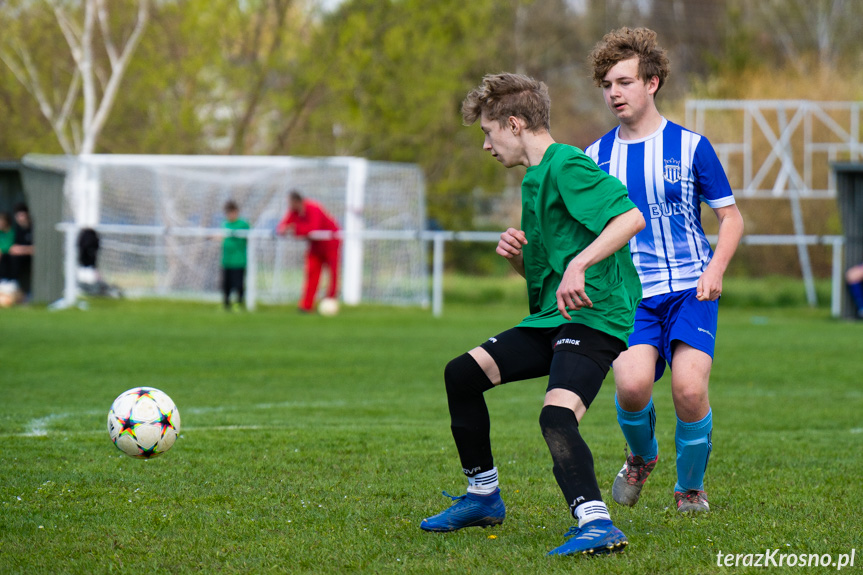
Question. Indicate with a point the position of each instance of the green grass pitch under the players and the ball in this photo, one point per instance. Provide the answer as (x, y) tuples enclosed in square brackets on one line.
[(316, 445)]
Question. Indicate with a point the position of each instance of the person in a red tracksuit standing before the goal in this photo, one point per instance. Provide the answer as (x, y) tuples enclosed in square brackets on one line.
[(306, 216)]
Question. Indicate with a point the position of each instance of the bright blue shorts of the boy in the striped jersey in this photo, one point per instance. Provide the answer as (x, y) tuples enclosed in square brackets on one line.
[(664, 319)]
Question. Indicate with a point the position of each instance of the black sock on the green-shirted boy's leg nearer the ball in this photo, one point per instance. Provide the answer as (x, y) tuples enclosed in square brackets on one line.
[(465, 384)]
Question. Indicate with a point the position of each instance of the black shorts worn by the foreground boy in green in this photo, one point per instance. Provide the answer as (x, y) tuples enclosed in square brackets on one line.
[(574, 356)]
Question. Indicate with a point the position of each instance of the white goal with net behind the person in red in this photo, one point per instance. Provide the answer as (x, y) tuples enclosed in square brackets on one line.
[(160, 223)]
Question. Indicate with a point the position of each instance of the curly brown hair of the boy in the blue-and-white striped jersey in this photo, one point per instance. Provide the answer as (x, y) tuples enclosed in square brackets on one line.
[(625, 43)]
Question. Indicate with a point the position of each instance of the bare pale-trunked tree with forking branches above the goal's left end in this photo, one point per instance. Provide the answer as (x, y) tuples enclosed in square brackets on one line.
[(91, 80)]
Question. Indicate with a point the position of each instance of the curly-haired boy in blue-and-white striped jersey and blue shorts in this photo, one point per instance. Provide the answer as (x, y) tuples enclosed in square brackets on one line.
[(668, 171)]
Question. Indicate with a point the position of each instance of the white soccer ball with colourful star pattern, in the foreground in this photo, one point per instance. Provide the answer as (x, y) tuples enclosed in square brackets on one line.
[(143, 422)]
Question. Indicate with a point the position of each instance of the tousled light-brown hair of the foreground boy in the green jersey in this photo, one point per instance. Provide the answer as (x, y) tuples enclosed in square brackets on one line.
[(500, 96)]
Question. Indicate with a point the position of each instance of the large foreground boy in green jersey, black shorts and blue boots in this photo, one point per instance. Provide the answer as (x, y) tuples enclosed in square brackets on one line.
[(582, 293)]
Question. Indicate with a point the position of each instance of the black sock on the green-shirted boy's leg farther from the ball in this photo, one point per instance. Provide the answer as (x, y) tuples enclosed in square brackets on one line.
[(573, 462)]
